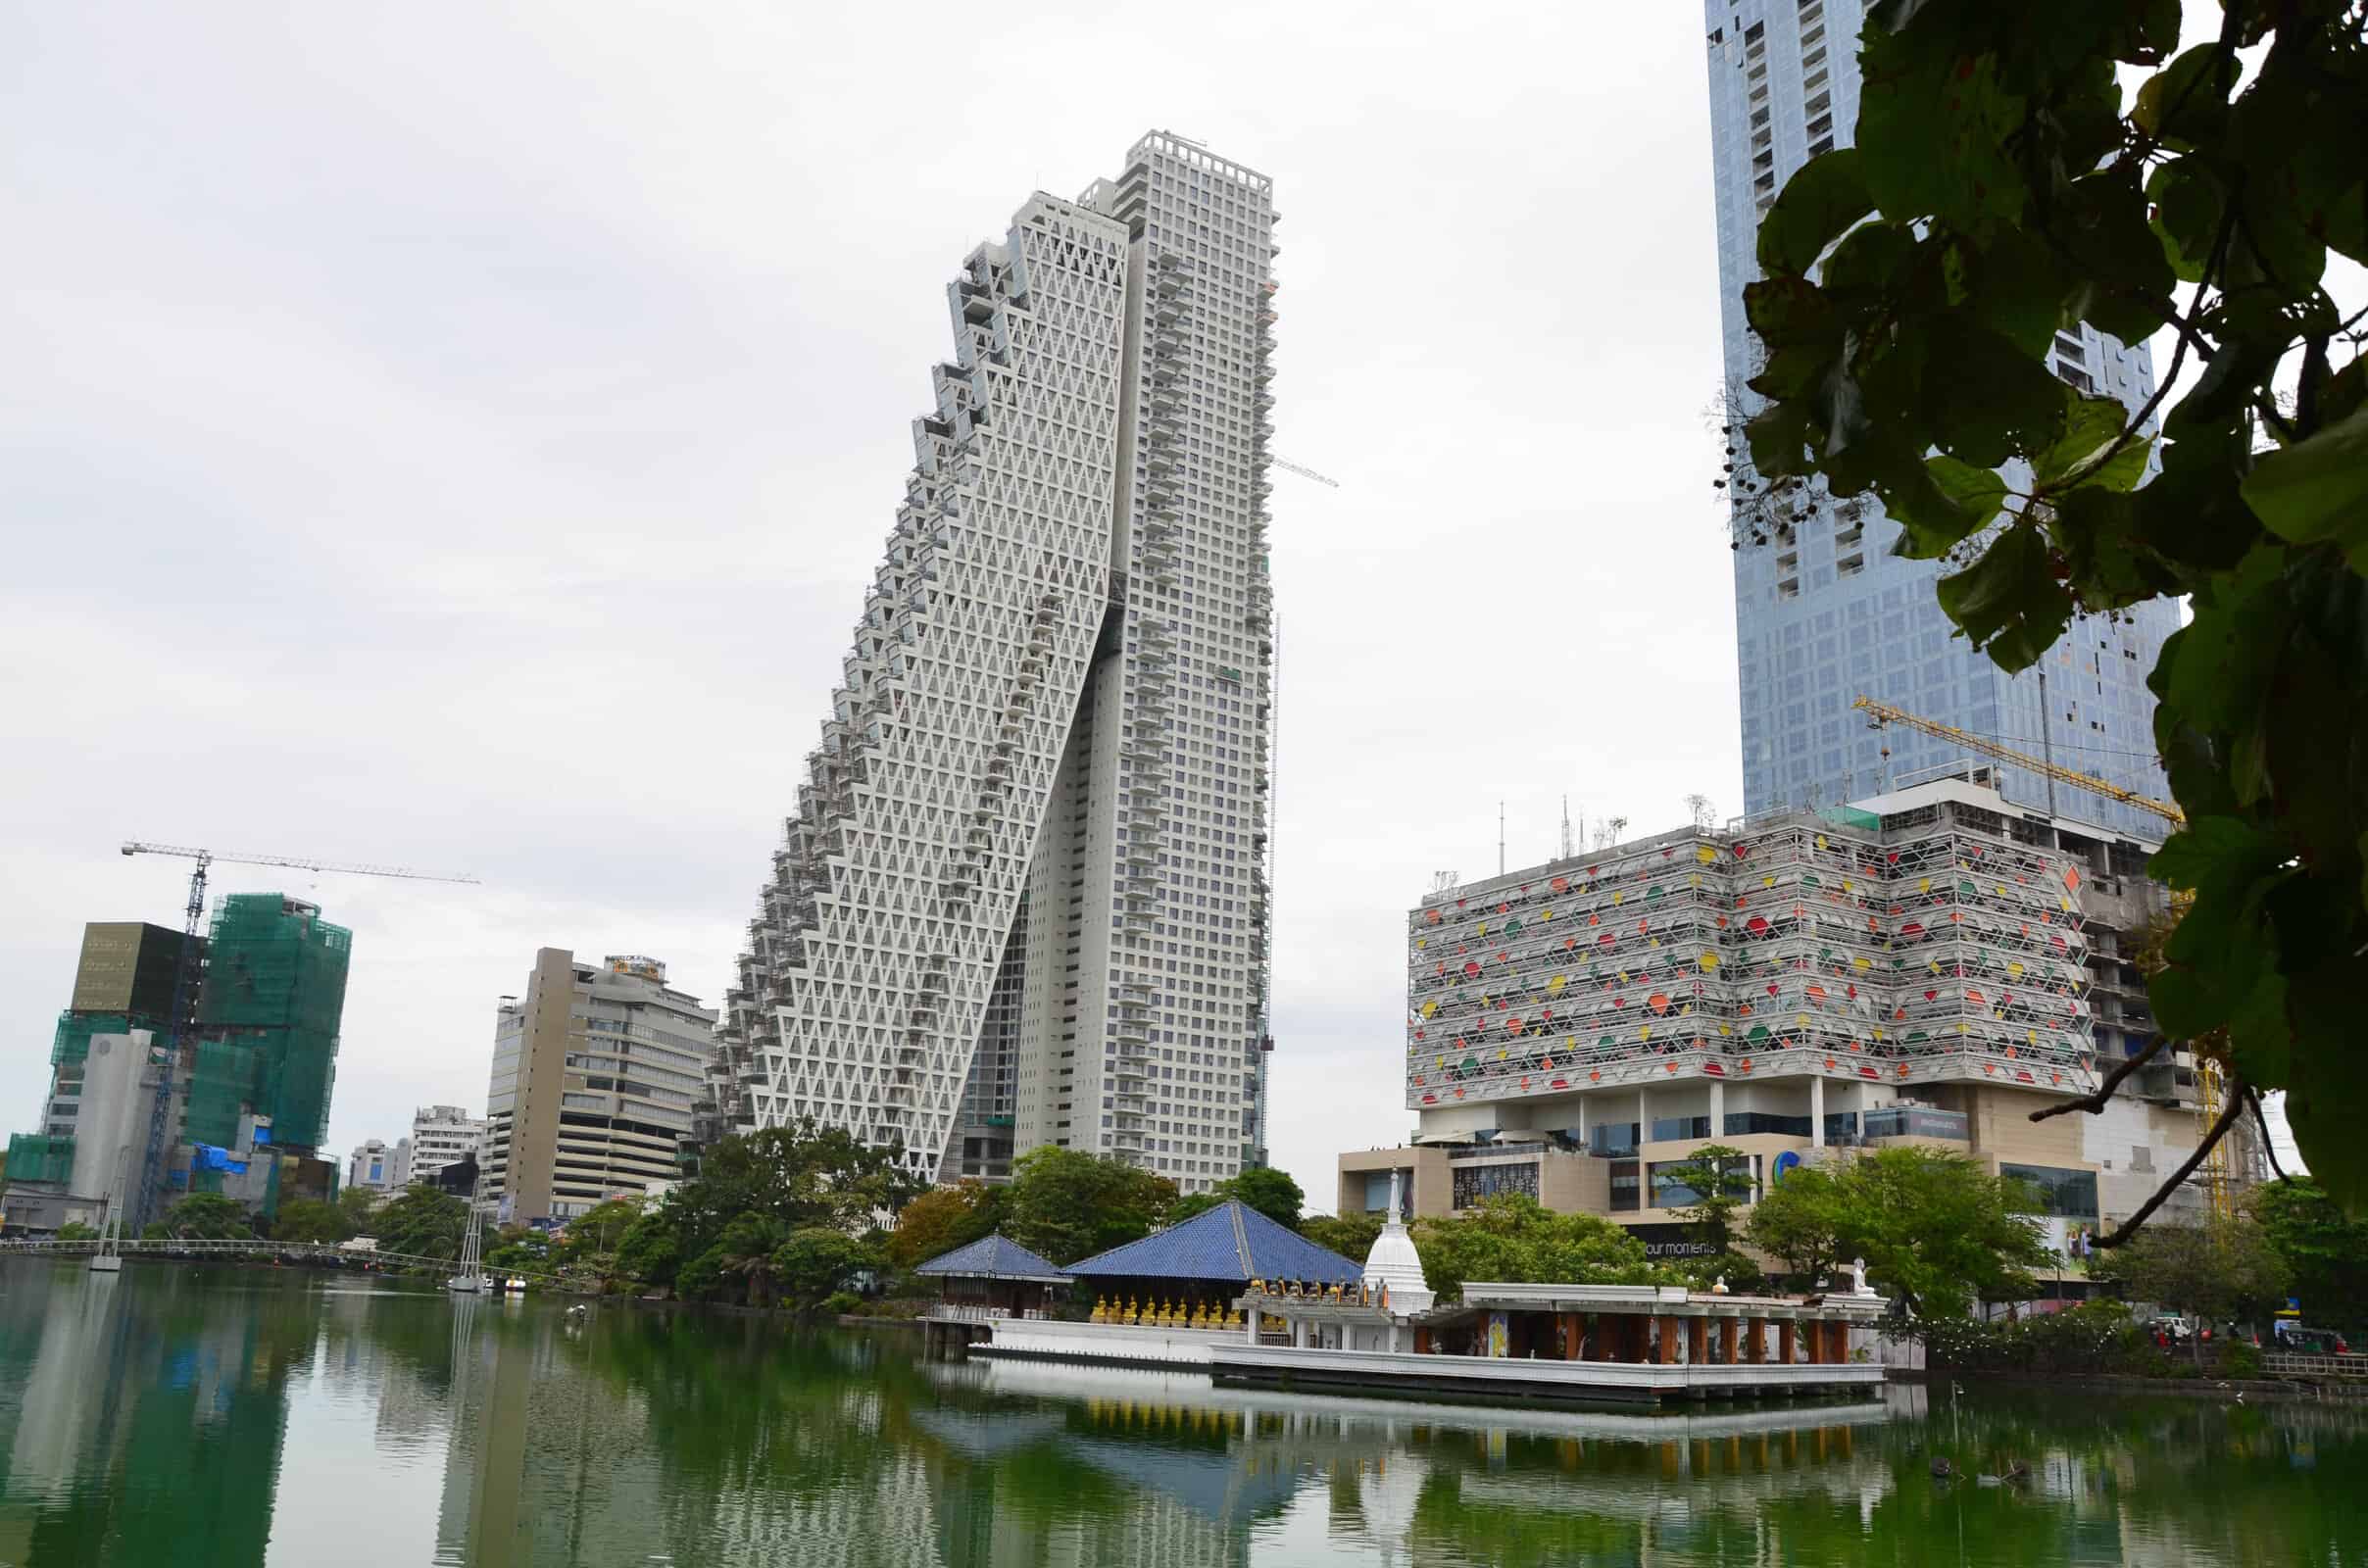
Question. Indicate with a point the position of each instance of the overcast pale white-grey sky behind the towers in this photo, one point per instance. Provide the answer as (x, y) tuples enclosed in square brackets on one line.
[(461, 439)]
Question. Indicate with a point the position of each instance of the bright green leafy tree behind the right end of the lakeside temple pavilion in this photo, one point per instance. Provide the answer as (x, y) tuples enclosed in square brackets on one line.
[(1936, 1228)]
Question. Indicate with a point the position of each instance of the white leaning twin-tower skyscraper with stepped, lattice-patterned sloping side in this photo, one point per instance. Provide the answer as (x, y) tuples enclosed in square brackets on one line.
[(1024, 899)]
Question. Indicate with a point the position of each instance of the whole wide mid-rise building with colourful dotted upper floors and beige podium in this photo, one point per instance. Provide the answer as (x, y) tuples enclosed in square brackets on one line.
[(1924, 968)]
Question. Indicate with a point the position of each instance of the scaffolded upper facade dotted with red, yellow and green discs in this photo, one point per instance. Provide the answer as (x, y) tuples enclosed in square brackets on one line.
[(1791, 944)]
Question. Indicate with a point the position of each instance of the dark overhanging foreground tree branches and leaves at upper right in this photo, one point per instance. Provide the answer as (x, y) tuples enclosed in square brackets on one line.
[(2000, 191)]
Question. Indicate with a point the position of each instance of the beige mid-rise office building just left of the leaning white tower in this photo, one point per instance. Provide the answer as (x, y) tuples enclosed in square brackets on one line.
[(596, 1074)]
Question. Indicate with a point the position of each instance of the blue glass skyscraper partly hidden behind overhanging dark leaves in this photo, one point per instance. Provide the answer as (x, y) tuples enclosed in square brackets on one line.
[(1832, 615)]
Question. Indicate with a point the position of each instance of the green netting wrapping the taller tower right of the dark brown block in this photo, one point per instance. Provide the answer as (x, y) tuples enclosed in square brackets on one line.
[(276, 982)]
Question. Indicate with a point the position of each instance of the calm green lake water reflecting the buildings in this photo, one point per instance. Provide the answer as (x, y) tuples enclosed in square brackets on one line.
[(229, 1418)]
